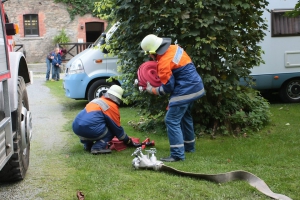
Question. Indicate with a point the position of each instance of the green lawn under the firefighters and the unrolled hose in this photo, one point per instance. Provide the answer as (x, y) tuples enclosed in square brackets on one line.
[(272, 154)]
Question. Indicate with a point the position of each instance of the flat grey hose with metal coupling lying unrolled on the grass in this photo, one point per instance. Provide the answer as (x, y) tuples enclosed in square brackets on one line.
[(149, 161)]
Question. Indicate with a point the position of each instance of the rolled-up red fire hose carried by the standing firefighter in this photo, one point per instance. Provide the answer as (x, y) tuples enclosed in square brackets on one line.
[(147, 72)]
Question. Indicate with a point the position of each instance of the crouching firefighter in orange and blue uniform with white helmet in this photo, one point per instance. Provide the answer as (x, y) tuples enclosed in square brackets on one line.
[(99, 122)]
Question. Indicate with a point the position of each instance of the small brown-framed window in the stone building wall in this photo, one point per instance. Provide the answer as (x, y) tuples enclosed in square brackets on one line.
[(31, 25)]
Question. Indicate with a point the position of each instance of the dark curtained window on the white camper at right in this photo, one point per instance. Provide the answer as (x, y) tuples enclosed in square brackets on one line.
[(284, 26)]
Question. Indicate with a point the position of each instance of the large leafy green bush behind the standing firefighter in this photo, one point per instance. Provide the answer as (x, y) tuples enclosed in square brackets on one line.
[(222, 38)]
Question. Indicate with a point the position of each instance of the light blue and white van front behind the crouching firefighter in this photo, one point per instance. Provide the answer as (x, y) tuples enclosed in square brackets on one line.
[(86, 73)]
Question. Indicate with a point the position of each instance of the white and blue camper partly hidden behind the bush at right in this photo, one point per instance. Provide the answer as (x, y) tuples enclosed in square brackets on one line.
[(281, 46)]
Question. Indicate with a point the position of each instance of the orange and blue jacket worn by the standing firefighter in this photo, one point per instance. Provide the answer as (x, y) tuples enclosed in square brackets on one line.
[(179, 77)]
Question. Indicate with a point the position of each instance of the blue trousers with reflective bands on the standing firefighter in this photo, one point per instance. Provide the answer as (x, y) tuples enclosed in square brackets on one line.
[(180, 130)]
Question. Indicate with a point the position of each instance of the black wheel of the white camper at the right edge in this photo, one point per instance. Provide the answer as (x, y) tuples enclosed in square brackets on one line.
[(290, 91)]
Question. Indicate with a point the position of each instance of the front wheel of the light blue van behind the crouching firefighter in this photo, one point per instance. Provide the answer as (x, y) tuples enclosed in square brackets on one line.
[(98, 88)]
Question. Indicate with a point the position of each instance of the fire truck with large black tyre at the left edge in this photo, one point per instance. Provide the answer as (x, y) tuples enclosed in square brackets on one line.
[(15, 117)]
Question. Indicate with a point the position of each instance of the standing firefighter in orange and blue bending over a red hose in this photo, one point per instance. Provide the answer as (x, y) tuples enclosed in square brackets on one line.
[(179, 78)]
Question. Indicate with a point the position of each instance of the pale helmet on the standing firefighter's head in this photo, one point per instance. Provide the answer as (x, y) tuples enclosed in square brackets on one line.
[(152, 44)]
